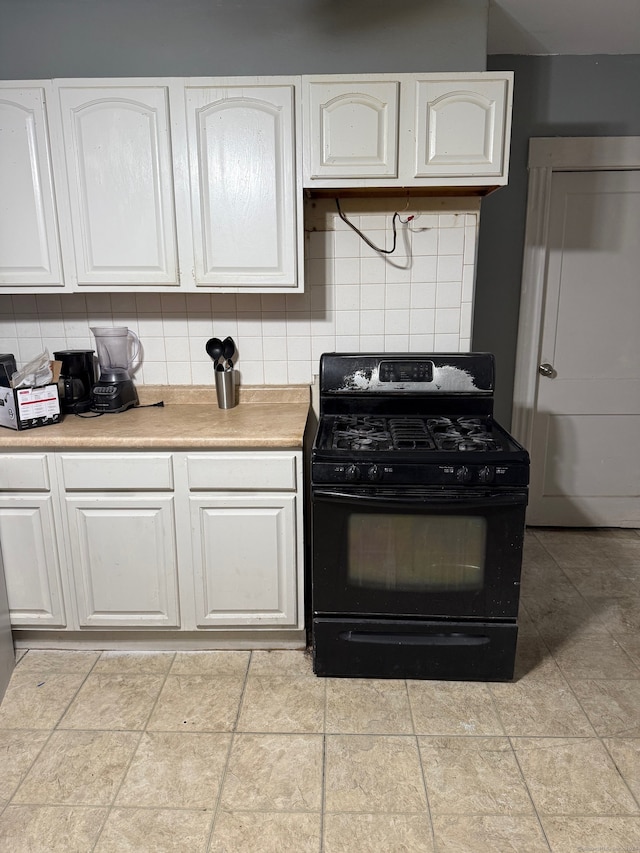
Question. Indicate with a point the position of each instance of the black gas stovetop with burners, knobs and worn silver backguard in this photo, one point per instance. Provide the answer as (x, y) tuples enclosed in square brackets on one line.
[(412, 419)]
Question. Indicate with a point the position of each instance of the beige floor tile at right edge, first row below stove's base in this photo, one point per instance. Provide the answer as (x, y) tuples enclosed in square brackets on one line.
[(612, 706)]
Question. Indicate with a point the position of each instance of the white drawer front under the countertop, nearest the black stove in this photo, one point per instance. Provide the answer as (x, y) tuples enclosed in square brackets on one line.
[(242, 471)]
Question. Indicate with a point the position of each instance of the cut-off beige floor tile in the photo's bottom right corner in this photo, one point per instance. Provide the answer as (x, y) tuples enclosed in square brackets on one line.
[(598, 834)]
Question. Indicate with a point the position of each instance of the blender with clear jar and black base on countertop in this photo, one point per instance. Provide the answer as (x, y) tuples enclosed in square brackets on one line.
[(114, 391)]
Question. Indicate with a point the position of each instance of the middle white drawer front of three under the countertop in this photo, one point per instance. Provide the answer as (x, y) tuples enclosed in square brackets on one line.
[(117, 471)]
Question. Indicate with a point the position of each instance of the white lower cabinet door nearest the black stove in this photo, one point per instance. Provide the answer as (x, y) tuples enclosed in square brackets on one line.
[(244, 561)]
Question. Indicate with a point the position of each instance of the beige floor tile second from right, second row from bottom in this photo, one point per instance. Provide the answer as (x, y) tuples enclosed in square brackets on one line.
[(572, 776)]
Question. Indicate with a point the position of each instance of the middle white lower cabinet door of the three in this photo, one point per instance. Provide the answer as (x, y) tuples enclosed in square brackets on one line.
[(123, 553)]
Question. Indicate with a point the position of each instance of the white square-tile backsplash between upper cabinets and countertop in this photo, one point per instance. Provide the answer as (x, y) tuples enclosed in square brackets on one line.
[(418, 299)]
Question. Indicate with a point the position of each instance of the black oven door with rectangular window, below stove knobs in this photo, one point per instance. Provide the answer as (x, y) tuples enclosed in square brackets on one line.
[(417, 553)]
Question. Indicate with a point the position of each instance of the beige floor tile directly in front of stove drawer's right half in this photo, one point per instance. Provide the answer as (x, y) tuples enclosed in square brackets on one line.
[(452, 708)]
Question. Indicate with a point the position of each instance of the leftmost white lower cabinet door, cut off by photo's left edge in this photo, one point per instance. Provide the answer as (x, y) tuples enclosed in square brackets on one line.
[(30, 555)]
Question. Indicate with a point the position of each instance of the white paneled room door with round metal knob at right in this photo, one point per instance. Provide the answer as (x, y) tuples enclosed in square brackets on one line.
[(584, 446)]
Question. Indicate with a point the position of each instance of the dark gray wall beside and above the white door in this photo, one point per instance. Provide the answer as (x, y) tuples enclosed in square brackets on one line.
[(553, 96)]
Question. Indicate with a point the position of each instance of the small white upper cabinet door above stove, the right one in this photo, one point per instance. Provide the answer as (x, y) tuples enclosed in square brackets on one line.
[(461, 130)]
